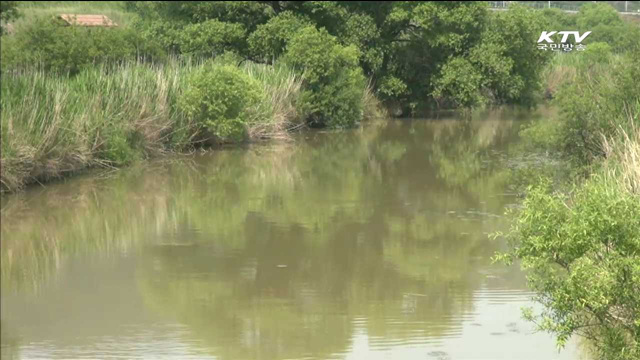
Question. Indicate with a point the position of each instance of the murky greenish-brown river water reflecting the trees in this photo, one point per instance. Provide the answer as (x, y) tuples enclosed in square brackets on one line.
[(363, 244)]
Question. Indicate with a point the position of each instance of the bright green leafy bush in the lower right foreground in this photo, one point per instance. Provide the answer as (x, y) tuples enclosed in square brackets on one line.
[(581, 254)]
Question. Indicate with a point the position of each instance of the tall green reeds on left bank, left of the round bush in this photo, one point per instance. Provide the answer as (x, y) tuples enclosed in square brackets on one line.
[(53, 125)]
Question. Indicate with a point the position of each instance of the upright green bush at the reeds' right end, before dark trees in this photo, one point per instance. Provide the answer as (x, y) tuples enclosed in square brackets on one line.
[(335, 83)]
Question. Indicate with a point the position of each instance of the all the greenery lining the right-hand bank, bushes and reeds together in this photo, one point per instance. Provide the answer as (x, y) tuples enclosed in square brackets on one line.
[(581, 246)]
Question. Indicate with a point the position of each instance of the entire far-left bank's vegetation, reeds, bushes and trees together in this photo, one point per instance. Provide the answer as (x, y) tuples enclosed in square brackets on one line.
[(416, 56)]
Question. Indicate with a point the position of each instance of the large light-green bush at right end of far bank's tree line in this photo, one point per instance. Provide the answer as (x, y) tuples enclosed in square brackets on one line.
[(501, 67)]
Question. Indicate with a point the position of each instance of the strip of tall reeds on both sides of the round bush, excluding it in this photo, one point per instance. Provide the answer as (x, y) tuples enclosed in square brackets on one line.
[(110, 116)]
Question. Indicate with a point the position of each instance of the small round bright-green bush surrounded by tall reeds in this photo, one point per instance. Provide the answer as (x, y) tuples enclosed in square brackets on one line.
[(222, 99)]
